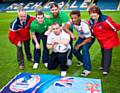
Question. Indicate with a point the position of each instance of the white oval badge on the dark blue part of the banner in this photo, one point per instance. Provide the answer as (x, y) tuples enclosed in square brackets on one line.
[(24, 83)]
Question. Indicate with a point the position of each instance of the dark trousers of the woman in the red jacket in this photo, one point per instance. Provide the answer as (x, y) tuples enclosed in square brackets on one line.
[(106, 59)]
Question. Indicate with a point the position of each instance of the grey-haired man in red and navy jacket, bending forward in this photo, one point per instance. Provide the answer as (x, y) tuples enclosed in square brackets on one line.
[(19, 34)]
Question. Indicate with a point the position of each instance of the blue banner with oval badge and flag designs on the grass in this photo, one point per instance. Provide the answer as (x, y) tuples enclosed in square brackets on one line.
[(44, 83)]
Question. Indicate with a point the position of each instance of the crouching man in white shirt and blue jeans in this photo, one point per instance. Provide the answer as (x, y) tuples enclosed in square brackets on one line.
[(84, 42)]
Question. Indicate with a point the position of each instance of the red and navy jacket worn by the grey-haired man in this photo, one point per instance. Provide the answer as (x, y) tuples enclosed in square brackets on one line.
[(18, 32)]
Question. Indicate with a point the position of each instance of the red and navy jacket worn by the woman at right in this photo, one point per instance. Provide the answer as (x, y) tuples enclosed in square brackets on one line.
[(105, 30)]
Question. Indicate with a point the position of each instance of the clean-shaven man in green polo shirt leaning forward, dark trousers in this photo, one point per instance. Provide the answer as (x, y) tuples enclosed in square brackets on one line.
[(38, 28)]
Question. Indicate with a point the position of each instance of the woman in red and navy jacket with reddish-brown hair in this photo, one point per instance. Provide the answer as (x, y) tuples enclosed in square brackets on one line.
[(105, 30)]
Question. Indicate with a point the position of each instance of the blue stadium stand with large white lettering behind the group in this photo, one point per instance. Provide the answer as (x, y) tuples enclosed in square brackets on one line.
[(64, 4)]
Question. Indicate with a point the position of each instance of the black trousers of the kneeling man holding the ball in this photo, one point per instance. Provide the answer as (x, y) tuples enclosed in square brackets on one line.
[(56, 59)]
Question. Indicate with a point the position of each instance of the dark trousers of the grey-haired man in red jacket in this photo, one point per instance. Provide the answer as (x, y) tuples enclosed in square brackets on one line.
[(20, 55)]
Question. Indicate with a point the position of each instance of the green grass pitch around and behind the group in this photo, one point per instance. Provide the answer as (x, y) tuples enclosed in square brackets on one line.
[(9, 65)]
